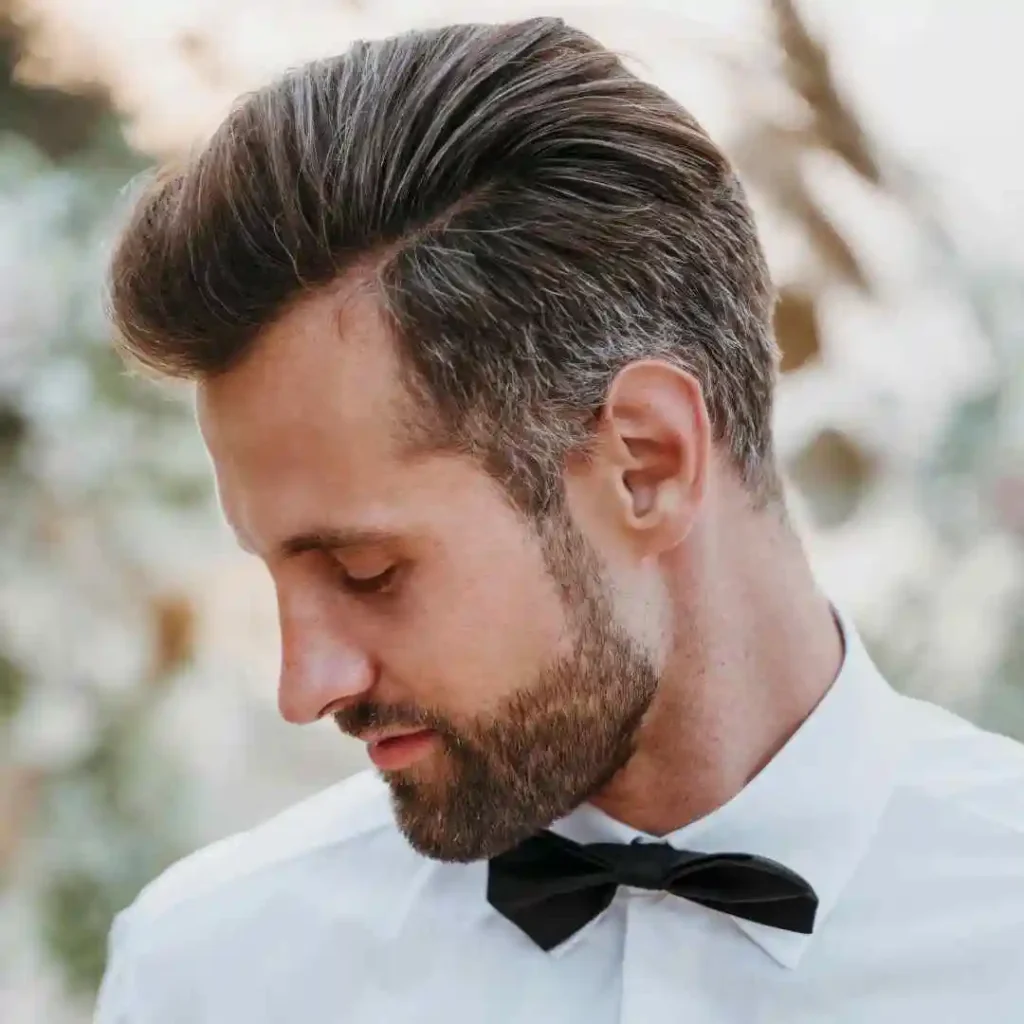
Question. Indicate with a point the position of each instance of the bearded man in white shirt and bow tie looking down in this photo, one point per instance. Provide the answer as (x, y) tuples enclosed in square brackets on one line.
[(481, 331)]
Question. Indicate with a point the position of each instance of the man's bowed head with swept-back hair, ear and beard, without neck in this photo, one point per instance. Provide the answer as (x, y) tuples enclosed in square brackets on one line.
[(478, 319)]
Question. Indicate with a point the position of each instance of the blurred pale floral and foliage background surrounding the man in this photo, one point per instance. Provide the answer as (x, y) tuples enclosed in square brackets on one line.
[(883, 145)]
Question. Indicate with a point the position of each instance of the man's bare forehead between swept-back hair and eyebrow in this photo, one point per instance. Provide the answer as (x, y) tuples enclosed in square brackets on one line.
[(306, 424)]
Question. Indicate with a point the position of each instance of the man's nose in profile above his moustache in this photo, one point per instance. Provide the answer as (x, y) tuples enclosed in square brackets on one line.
[(320, 668)]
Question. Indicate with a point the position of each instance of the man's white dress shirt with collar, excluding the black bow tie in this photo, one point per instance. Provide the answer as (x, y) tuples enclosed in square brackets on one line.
[(907, 821)]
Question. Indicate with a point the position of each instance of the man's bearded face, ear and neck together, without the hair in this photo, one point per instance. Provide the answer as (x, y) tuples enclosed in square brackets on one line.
[(650, 651)]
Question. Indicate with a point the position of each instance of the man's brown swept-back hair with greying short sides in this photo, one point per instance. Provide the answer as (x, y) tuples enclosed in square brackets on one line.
[(534, 217)]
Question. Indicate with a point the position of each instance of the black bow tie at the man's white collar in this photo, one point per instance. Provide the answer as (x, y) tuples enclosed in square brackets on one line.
[(551, 887)]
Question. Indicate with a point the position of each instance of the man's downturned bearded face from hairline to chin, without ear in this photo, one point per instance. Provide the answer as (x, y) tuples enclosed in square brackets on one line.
[(413, 598)]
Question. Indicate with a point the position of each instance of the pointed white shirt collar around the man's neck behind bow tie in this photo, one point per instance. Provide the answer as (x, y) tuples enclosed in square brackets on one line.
[(815, 808)]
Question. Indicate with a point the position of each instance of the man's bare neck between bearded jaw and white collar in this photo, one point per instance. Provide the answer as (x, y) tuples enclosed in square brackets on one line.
[(752, 659)]
